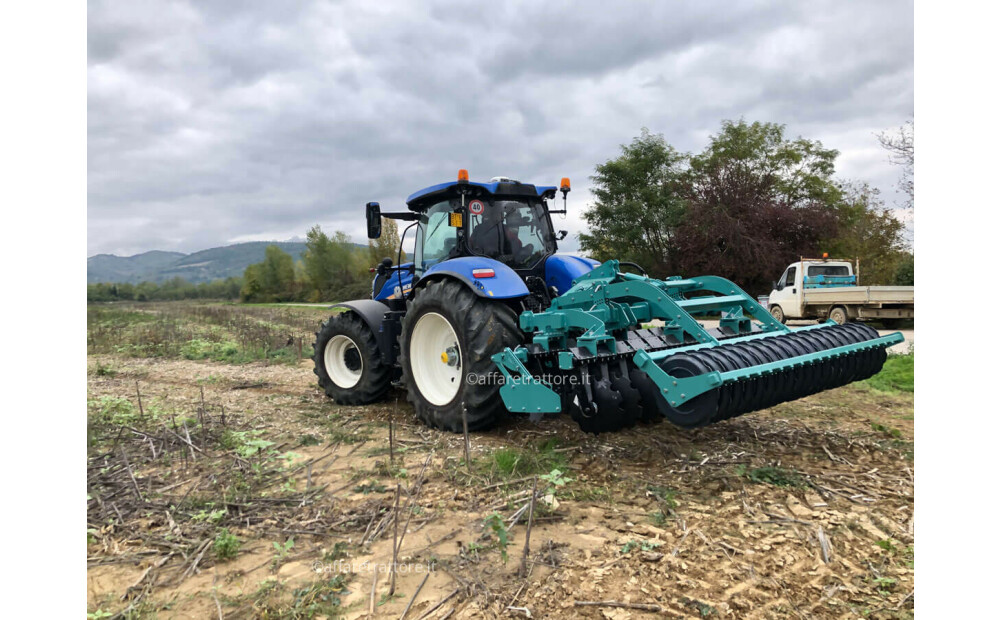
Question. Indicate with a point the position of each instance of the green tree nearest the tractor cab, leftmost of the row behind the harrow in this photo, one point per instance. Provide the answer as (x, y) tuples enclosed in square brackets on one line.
[(639, 204)]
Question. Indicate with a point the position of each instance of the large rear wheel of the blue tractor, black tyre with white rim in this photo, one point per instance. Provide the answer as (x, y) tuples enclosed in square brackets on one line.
[(449, 334)]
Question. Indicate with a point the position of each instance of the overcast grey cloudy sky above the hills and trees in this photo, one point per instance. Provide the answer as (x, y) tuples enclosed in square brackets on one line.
[(216, 122)]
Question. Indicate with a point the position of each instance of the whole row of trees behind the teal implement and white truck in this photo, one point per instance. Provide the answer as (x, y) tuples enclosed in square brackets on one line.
[(743, 208)]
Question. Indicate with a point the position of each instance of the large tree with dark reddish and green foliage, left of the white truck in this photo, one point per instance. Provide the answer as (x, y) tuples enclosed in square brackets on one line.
[(756, 201)]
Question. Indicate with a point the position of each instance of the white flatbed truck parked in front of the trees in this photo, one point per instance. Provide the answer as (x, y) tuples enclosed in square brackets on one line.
[(819, 288)]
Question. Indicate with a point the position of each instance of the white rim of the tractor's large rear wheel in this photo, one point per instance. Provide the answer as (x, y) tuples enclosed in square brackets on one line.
[(435, 359)]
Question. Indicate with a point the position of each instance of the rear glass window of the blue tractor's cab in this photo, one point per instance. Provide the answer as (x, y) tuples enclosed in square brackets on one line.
[(514, 232)]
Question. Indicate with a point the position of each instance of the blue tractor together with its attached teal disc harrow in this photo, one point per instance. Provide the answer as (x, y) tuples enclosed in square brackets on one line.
[(488, 318)]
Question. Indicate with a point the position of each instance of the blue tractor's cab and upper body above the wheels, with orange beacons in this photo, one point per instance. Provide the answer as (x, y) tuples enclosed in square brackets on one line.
[(496, 237)]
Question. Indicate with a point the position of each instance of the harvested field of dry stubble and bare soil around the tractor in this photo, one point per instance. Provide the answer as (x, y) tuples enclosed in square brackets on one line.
[(221, 482)]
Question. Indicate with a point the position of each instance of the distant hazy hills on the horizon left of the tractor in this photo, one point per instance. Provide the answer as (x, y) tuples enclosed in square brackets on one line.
[(203, 266)]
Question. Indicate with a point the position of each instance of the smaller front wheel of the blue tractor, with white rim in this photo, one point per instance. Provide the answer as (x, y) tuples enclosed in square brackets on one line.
[(348, 363)]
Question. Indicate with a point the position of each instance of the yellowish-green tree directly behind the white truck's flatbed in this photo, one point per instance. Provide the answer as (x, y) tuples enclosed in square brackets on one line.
[(866, 230)]
